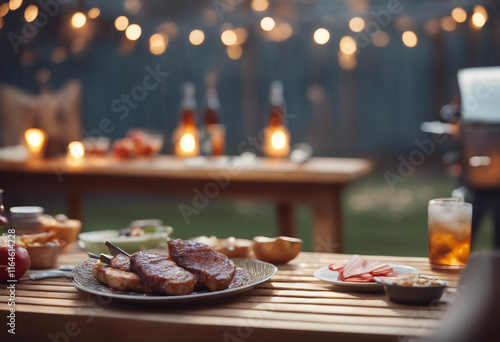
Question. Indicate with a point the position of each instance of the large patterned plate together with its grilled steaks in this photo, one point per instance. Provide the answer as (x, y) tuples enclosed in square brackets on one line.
[(191, 271)]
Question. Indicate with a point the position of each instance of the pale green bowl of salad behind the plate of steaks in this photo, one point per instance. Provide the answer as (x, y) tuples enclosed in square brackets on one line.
[(140, 235)]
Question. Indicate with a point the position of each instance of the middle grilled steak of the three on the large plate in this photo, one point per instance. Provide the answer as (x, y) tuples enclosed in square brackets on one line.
[(161, 275)]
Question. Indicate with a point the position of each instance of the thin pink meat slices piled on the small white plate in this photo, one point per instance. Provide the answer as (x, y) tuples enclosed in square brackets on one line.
[(360, 270)]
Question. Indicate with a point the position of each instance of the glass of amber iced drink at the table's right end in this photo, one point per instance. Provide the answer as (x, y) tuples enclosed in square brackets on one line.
[(449, 233)]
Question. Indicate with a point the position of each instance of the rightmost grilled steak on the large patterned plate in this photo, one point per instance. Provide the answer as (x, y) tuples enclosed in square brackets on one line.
[(213, 269)]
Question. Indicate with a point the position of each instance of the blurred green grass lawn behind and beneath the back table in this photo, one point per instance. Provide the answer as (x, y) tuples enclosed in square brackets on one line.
[(376, 219)]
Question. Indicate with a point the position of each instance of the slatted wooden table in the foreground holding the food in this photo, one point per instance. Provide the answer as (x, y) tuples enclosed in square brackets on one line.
[(292, 306)]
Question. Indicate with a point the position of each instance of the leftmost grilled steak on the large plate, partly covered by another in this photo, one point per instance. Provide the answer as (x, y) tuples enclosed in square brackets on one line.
[(118, 279)]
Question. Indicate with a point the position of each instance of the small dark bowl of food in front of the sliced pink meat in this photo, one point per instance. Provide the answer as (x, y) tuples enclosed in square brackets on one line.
[(417, 291)]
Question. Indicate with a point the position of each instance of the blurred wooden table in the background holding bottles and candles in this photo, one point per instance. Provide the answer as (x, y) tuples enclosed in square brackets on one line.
[(319, 182)]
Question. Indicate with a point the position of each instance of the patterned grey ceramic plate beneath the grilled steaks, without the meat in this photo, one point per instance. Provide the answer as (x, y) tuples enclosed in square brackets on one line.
[(85, 281)]
